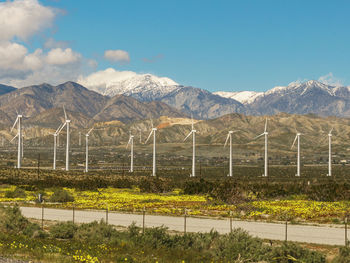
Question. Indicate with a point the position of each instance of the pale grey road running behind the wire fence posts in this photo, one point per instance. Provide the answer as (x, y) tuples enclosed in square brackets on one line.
[(274, 231)]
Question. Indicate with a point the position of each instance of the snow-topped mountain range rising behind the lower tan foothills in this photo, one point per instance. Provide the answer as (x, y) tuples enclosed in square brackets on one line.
[(144, 96)]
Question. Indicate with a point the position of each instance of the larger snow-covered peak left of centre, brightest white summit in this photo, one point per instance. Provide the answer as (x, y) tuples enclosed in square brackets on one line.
[(145, 87)]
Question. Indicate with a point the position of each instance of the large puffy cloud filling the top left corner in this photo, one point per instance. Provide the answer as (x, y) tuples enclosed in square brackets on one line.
[(23, 18)]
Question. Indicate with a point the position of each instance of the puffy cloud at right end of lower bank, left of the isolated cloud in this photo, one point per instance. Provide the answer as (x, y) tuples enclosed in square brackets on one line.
[(59, 56)]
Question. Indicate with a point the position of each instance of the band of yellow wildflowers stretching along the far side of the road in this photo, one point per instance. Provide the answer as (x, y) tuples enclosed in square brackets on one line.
[(174, 203)]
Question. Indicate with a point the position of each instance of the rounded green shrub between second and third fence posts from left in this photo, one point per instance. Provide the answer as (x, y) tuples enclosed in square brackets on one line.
[(96, 232)]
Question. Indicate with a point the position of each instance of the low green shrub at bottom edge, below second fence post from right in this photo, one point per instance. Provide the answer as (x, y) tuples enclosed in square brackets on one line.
[(290, 252)]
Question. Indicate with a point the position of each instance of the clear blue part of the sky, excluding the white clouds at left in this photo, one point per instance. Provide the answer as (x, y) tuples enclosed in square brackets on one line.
[(215, 45)]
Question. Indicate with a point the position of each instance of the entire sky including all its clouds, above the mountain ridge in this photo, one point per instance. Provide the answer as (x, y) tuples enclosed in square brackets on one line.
[(214, 45)]
